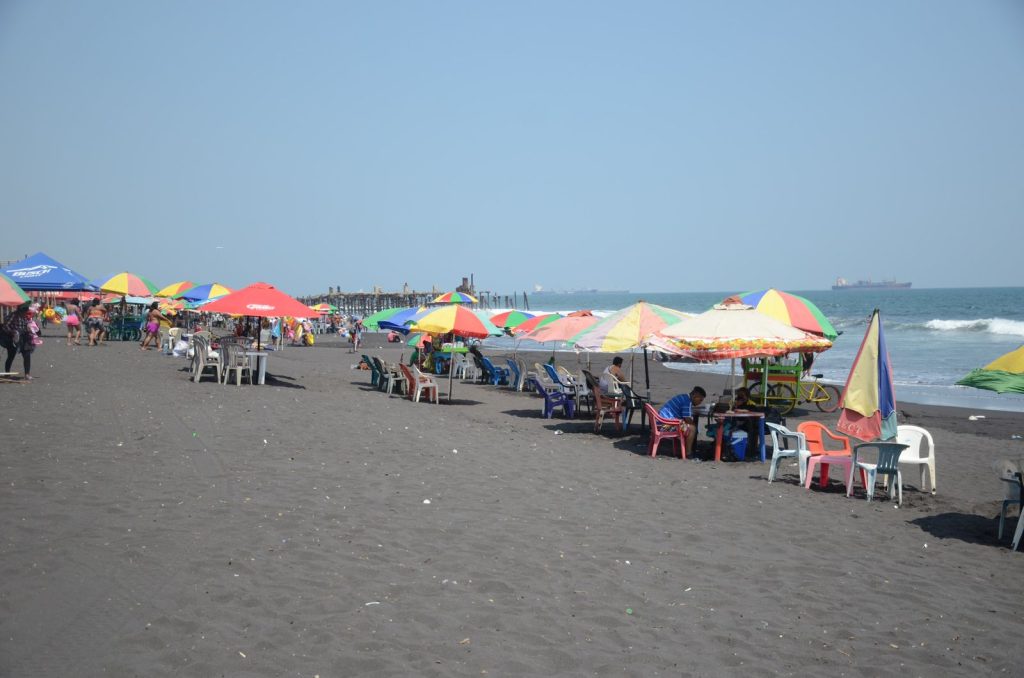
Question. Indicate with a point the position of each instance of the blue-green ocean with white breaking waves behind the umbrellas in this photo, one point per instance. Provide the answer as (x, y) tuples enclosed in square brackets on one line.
[(935, 336)]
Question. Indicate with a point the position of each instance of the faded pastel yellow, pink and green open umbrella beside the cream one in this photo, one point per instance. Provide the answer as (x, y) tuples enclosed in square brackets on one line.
[(627, 330)]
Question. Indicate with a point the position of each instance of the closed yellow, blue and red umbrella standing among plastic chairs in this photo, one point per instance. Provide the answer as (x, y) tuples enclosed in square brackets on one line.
[(869, 404)]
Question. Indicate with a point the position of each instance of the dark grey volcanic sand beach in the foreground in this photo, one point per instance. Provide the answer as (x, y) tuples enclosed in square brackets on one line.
[(316, 527)]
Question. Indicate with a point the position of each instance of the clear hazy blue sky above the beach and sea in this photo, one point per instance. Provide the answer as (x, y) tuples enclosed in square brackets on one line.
[(652, 147)]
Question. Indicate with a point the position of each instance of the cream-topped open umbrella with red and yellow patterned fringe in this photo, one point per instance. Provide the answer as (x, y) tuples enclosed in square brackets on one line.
[(735, 330)]
